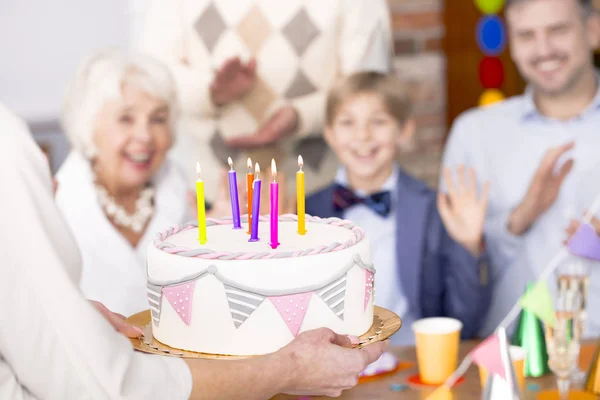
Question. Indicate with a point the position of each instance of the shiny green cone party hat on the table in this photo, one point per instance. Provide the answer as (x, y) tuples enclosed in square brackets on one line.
[(530, 336)]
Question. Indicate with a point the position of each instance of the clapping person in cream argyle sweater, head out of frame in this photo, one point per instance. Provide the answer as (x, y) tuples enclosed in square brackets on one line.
[(253, 76)]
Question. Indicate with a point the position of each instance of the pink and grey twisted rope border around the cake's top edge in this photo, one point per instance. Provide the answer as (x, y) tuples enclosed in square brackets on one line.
[(161, 243)]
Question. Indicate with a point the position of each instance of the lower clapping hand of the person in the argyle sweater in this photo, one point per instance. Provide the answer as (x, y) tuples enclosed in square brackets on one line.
[(283, 123)]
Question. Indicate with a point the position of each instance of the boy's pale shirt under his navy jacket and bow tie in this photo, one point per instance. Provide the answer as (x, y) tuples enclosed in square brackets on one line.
[(381, 232)]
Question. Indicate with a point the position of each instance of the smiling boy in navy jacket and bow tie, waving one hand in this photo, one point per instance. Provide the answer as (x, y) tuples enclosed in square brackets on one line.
[(428, 263)]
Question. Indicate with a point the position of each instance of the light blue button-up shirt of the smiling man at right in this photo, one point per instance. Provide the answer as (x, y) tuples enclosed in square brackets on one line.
[(505, 143)]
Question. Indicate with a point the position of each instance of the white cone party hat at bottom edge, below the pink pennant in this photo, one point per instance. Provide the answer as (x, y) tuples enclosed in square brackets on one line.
[(497, 388)]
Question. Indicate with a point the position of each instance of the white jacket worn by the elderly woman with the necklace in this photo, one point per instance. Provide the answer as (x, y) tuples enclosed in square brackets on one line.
[(114, 272)]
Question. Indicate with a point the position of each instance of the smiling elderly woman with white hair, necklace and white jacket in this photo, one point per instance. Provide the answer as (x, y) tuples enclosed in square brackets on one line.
[(117, 188)]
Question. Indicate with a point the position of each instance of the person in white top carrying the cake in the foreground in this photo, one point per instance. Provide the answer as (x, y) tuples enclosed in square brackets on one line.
[(54, 344)]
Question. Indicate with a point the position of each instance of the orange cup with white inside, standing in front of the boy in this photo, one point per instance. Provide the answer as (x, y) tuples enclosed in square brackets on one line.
[(437, 341)]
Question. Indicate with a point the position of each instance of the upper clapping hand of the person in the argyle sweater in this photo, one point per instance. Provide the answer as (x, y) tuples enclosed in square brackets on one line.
[(232, 81)]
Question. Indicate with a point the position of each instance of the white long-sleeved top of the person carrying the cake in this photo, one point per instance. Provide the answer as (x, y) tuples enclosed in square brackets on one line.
[(53, 343)]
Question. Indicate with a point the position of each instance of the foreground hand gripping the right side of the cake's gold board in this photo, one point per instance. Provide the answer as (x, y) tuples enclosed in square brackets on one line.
[(320, 362)]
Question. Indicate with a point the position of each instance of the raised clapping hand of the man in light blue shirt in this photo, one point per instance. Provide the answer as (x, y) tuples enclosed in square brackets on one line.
[(542, 192)]
